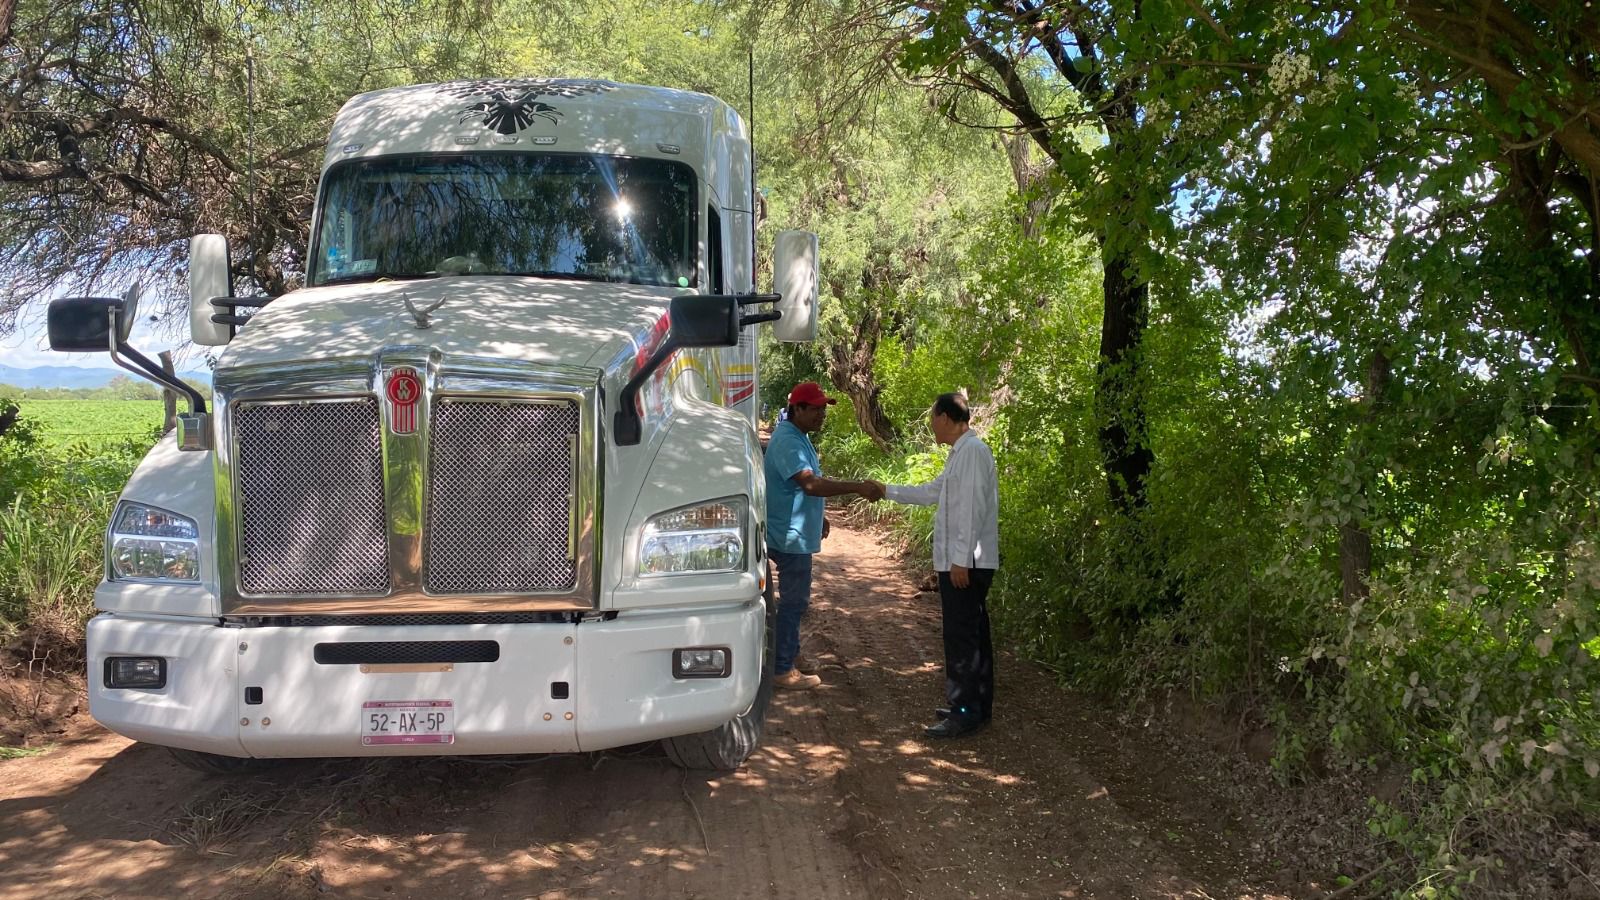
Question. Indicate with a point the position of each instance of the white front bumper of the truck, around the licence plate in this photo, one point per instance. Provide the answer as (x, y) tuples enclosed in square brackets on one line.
[(554, 688)]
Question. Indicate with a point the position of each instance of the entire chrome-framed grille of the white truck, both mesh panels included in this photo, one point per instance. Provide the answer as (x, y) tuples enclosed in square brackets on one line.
[(482, 499)]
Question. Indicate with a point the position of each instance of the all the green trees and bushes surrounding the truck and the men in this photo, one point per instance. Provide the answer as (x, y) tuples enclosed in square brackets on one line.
[(1279, 318)]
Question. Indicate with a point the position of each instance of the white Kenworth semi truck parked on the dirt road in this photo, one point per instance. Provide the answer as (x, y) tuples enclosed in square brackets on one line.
[(490, 483)]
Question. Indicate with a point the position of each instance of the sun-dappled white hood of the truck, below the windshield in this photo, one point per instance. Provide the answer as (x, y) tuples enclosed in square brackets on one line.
[(535, 321)]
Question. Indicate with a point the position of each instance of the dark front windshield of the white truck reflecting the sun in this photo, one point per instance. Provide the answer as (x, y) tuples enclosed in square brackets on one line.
[(508, 214)]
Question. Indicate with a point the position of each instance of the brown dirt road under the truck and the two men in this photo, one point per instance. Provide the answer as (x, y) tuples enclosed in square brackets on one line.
[(844, 800)]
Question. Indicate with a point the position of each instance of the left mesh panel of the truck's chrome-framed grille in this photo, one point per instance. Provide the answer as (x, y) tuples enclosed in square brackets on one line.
[(311, 499)]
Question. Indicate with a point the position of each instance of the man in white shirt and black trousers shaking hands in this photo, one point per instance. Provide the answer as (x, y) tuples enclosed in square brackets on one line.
[(966, 555)]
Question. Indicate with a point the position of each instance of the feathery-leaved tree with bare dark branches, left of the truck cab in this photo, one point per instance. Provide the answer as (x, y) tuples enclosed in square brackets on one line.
[(129, 126)]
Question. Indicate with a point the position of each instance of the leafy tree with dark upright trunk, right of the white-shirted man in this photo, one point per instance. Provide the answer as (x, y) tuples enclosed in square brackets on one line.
[(1156, 82)]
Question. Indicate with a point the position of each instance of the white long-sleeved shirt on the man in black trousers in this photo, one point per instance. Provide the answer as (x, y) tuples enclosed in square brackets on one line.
[(967, 523)]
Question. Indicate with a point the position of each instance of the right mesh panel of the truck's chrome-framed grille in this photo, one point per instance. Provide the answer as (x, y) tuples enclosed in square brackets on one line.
[(500, 512)]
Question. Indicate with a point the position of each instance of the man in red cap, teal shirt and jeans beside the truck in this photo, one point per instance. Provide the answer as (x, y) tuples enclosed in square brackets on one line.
[(796, 524)]
